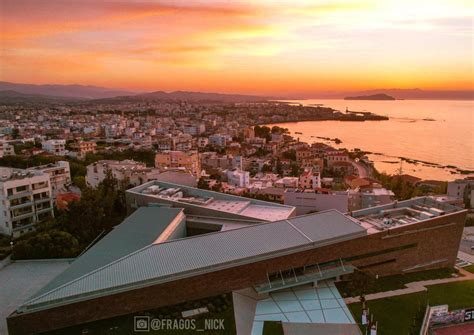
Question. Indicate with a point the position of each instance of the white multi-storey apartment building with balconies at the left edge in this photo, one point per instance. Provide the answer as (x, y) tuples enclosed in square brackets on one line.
[(25, 199)]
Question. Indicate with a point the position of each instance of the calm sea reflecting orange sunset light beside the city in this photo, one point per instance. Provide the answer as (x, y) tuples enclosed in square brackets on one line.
[(448, 140)]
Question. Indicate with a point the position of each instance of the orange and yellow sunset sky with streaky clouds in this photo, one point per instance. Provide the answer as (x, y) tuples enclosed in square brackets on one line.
[(262, 47)]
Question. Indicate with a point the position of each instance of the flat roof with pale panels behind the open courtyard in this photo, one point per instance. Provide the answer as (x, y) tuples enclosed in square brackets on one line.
[(190, 196)]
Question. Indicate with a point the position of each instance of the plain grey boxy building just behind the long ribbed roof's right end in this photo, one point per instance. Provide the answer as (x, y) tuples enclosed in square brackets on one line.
[(307, 201)]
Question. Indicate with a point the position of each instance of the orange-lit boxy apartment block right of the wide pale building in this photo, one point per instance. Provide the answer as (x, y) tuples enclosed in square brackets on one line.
[(179, 159)]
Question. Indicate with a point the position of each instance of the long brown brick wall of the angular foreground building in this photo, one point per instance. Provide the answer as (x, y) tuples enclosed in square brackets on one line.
[(436, 239)]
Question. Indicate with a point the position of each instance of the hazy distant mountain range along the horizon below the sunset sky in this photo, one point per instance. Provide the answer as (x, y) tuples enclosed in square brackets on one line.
[(16, 92)]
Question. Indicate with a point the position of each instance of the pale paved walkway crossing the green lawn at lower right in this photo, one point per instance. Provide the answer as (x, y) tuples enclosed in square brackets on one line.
[(413, 287)]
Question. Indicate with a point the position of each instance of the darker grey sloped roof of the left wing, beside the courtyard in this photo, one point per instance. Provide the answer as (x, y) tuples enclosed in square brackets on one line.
[(138, 230)]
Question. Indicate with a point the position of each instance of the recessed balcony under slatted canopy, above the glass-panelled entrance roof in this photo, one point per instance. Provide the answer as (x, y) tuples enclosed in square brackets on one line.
[(296, 277)]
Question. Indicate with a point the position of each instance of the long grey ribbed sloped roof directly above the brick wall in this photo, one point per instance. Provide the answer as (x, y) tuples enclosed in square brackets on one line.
[(190, 256)]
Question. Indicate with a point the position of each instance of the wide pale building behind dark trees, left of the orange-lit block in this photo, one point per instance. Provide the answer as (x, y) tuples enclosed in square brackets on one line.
[(128, 171)]
